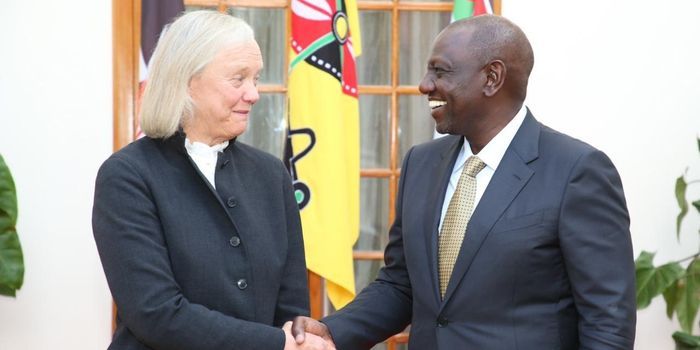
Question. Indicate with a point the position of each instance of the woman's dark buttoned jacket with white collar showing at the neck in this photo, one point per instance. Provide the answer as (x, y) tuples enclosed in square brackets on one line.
[(193, 267)]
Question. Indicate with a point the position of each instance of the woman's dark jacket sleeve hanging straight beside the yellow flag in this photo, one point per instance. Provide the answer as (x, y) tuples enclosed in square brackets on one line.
[(293, 297)]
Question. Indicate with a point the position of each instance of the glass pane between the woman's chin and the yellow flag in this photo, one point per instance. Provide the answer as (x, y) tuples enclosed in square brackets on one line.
[(267, 126)]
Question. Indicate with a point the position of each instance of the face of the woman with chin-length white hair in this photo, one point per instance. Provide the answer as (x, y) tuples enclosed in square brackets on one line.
[(223, 94)]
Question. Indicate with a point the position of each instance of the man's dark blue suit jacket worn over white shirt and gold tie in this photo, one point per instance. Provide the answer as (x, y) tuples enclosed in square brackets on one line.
[(546, 262)]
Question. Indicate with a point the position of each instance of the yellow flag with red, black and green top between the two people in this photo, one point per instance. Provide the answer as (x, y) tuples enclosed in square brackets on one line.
[(322, 150)]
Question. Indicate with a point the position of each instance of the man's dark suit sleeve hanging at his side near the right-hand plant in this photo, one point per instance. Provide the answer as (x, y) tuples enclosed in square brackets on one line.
[(597, 249)]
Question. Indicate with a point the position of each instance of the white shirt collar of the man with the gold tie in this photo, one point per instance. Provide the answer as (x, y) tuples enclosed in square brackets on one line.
[(493, 152)]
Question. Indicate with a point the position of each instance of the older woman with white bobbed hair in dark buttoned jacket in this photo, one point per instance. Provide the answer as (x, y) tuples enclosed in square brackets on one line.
[(199, 235)]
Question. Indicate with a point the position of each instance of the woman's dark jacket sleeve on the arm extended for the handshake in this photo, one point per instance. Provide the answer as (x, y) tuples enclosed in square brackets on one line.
[(135, 258)]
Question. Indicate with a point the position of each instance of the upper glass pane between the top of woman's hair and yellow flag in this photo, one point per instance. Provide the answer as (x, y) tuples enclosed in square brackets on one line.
[(269, 26)]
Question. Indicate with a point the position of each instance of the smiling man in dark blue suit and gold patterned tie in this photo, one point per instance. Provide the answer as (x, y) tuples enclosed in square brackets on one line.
[(508, 234)]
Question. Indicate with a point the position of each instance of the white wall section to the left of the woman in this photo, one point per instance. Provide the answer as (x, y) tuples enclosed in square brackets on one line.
[(55, 130)]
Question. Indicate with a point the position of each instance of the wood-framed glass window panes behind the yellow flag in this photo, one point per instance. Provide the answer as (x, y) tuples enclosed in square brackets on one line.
[(392, 119)]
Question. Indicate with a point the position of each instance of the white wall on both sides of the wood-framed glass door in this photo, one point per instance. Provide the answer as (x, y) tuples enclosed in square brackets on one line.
[(622, 77)]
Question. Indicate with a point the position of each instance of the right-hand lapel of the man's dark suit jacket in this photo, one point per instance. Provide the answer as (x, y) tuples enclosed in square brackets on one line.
[(510, 177)]
